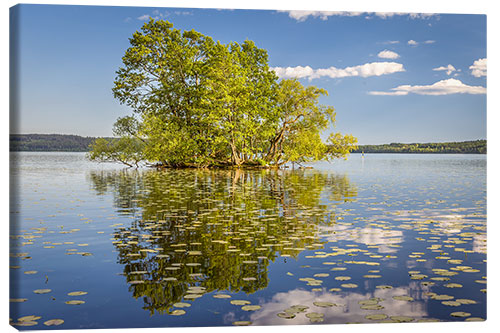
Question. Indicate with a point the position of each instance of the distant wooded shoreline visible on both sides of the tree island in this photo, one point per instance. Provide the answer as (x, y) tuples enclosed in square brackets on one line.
[(76, 143)]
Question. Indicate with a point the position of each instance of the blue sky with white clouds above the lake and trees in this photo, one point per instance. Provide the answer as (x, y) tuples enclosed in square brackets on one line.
[(391, 77)]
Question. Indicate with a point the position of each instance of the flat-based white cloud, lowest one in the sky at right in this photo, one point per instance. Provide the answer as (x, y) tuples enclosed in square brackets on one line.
[(443, 87)]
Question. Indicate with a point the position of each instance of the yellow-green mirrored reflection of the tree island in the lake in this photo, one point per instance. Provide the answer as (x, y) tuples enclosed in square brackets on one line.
[(215, 229)]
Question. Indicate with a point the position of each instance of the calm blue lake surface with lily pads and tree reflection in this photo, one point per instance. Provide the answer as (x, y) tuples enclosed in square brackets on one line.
[(391, 238)]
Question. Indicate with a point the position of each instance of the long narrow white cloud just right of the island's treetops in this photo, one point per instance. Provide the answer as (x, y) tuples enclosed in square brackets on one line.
[(369, 69)]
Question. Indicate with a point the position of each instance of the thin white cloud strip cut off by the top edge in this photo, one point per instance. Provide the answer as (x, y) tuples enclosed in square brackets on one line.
[(302, 15)]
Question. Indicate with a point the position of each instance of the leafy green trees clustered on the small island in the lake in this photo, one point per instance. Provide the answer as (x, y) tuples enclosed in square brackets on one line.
[(201, 103)]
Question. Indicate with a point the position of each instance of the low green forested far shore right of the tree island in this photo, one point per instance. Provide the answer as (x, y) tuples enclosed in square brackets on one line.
[(464, 147)]
